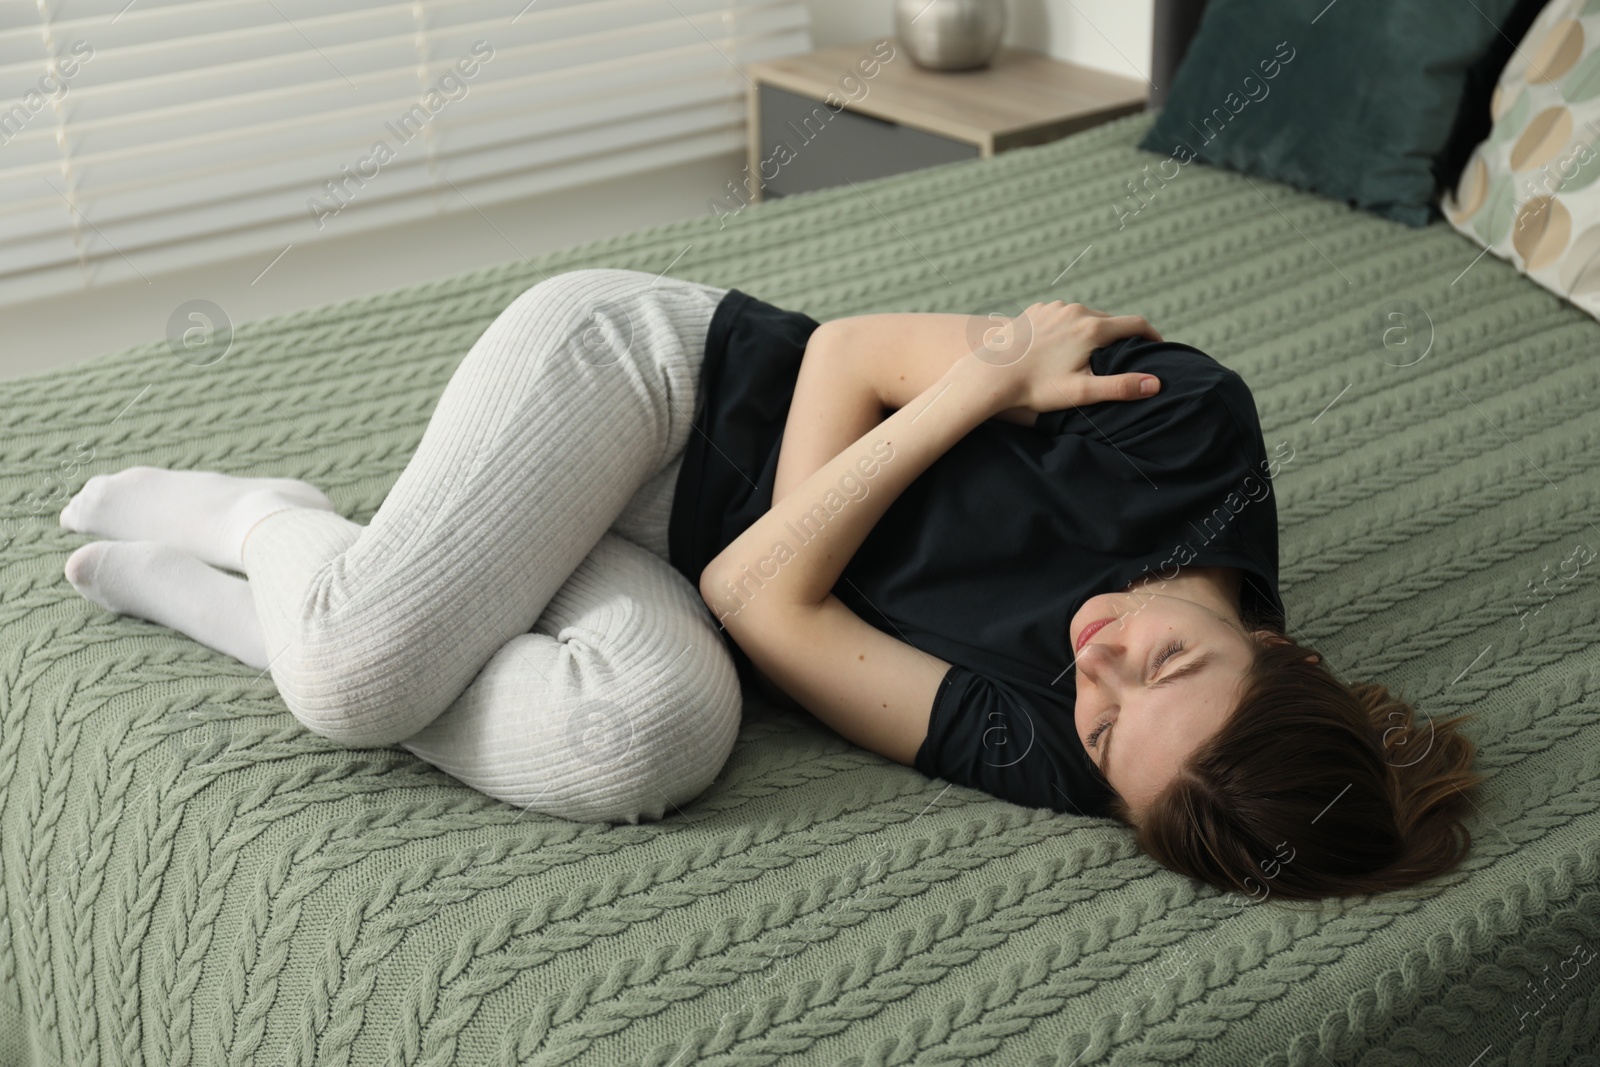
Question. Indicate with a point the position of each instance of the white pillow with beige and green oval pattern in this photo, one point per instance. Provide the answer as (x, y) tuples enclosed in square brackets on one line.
[(1530, 191)]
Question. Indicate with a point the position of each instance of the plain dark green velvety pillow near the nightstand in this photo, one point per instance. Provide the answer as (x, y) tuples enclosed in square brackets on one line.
[(1356, 100)]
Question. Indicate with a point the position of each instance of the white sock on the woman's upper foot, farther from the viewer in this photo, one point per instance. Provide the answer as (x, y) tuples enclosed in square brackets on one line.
[(201, 513)]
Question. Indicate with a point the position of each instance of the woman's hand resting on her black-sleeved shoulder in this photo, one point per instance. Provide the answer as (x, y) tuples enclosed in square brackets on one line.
[(1041, 361)]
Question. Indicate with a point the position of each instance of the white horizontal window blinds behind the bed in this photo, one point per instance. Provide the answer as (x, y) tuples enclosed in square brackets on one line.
[(151, 135)]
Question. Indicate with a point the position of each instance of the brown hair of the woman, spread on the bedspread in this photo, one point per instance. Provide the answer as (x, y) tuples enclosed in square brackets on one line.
[(1314, 788)]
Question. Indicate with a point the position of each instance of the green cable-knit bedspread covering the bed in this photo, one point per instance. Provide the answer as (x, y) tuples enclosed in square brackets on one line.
[(190, 877)]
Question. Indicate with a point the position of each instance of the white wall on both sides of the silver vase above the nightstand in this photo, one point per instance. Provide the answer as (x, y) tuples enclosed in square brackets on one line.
[(1108, 34)]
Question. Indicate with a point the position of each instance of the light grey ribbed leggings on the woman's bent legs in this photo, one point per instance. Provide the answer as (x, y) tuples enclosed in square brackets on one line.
[(510, 615)]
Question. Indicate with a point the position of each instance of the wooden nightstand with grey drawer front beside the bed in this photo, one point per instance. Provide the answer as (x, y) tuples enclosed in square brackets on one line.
[(866, 111)]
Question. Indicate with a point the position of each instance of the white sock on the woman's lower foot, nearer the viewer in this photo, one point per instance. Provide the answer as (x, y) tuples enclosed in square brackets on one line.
[(164, 585)]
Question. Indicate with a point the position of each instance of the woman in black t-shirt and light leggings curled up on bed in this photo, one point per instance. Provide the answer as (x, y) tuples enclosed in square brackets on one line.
[(1034, 556)]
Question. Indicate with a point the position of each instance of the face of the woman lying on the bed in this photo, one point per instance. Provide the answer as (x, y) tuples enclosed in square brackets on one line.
[(1166, 673)]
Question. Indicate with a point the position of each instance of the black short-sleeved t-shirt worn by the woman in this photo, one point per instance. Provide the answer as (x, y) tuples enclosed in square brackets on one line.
[(985, 557)]
